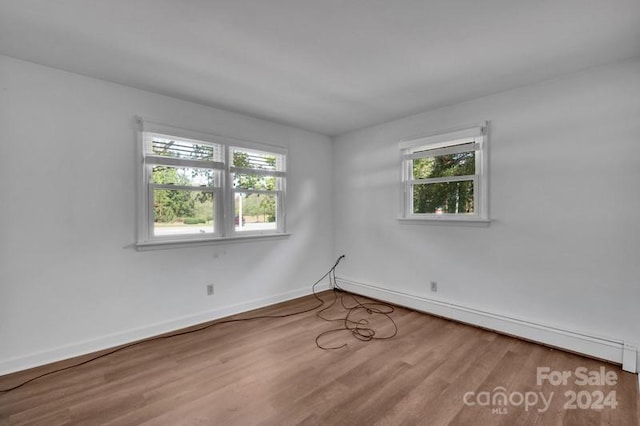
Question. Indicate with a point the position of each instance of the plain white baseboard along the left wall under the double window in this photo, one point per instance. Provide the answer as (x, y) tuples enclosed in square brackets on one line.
[(116, 339)]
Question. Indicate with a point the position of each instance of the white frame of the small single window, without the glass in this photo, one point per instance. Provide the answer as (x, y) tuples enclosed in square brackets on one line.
[(460, 139)]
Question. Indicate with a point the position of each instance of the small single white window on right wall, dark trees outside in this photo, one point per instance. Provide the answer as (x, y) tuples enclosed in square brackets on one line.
[(445, 176)]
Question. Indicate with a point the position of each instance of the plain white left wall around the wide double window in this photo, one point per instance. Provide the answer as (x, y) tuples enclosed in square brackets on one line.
[(70, 280)]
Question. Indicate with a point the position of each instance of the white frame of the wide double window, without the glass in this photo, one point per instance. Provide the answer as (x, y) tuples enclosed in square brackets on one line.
[(224, 216)]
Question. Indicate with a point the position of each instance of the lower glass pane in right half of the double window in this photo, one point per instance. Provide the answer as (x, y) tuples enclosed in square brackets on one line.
[(255, 212)]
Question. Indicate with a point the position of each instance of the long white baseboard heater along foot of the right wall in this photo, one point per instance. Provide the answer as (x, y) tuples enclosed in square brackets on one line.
[(613, 350)]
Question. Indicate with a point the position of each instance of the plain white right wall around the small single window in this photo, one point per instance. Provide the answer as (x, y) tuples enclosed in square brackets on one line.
[(563, 248)]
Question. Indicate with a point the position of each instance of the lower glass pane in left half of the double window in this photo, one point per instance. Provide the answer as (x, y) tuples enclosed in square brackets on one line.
[(178, 212)]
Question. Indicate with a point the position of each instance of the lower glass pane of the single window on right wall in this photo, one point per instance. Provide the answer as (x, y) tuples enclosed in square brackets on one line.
[(443, 198)]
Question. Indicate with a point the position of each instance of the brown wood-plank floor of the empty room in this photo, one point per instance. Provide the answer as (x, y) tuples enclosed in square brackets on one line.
[(270, 372)]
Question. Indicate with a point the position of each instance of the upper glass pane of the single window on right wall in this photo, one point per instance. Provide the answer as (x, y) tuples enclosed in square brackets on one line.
[(460, 164)]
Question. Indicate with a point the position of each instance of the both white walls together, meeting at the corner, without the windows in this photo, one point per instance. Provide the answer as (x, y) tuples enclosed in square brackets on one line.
[(562, 249)]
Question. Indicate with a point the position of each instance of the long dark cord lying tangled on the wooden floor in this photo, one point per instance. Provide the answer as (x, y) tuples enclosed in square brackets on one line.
[(356, 327)]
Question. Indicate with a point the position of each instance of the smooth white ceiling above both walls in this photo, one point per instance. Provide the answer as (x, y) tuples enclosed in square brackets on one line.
[(329, 66)]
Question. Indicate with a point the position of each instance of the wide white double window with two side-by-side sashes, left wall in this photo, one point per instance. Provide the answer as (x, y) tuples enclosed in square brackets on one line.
[(199, 187)]
